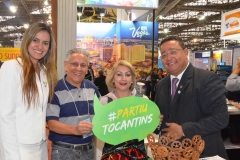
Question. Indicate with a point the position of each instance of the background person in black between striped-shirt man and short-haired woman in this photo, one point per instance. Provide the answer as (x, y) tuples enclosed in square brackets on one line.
[(100, 82)]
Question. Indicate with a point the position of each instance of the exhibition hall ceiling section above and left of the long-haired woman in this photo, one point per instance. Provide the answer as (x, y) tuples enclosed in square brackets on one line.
[(27, 11)]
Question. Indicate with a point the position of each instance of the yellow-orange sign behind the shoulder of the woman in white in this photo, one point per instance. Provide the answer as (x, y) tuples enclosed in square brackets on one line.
[(9, 53)]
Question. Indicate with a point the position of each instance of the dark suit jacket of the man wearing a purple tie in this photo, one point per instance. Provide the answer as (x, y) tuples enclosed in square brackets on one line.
[(199, 106)]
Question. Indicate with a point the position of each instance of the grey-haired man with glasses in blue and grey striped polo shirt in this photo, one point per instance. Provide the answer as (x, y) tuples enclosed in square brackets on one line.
[(70, 112)]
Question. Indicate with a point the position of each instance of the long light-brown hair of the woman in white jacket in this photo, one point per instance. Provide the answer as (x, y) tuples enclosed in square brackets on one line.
[(48, 63)]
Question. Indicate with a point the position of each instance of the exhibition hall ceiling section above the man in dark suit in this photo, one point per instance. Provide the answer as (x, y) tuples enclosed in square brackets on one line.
[(181, 17)]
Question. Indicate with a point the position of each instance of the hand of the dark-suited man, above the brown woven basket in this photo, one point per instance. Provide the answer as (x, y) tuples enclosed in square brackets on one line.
[(175, 129)]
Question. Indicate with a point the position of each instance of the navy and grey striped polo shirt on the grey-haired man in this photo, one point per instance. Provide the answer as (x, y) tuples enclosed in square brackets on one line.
[(63, 109)]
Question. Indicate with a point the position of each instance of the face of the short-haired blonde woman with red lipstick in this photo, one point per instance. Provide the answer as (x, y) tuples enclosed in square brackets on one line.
[(123, 78)]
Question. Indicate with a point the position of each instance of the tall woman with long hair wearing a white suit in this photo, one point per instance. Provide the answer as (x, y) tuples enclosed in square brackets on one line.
[(26, 83)]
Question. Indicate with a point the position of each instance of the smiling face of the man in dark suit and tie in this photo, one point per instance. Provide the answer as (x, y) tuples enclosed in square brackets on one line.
[(174, 64)]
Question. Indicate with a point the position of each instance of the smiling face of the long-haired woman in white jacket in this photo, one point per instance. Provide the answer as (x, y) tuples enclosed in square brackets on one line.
[(39, 46)]
